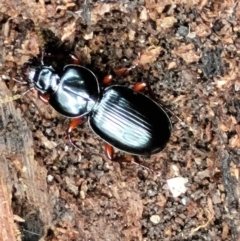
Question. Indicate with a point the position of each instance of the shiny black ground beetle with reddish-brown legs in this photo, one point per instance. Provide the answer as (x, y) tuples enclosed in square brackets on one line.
[(122, 117)]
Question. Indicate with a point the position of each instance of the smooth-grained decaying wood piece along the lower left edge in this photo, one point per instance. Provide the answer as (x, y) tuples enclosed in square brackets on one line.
[(21, 177)]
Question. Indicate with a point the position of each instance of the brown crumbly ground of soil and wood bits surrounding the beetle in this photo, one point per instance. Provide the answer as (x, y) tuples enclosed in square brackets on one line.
[(189, 49)]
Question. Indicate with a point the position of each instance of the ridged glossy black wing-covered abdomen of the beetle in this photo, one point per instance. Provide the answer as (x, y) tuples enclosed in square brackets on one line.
[(130, 121)]
